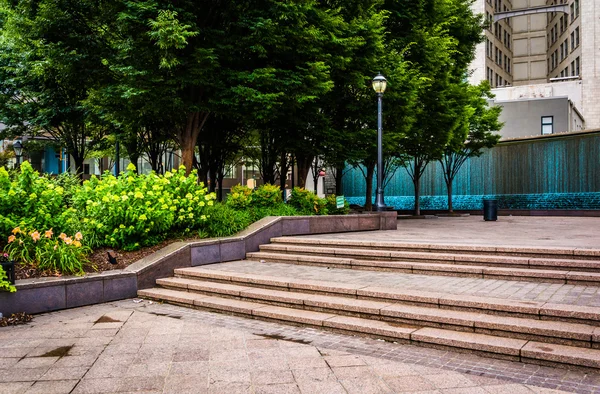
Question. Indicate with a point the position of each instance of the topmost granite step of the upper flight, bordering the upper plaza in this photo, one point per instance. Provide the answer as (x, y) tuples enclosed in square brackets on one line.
[(436, 247)]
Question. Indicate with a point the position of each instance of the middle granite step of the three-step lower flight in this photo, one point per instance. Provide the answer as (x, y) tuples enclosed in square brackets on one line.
[(555, 332)]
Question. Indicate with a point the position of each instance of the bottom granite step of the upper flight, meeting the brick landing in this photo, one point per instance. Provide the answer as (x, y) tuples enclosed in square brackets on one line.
[(474, 271)]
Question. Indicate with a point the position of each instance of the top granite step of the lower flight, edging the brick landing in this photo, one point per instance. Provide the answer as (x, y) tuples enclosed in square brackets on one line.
[(231, 283)]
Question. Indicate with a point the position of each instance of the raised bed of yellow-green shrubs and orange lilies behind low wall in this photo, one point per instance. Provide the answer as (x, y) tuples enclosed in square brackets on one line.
[(51, 226)]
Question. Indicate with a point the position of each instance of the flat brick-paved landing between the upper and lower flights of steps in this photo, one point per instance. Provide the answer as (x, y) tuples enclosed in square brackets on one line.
[(514, 290)]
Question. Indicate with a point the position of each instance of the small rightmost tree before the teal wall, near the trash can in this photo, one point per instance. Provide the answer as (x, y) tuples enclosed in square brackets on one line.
[(480, 123)]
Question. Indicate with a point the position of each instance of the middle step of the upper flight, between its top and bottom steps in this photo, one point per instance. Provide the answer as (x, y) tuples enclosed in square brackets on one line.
[(430, 256)]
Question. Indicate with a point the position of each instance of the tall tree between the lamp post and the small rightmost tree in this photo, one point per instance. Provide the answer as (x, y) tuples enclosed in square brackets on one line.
[(439, 38)]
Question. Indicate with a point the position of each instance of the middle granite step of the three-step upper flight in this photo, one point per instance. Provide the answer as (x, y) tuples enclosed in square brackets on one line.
[(479, 259)]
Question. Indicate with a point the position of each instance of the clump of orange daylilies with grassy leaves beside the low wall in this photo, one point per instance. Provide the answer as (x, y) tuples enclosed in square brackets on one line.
[(63, 254)]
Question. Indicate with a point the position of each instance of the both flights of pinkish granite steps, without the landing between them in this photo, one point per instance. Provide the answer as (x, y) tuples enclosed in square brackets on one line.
[(528, 331)]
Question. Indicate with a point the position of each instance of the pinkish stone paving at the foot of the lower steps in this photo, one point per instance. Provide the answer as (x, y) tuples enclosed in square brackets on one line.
[(129, 346)]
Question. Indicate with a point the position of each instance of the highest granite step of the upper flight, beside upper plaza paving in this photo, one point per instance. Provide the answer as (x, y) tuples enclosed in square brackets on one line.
[(544, 252)]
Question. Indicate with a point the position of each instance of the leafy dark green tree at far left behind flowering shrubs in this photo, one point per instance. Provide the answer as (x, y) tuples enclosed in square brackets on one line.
[(51, 56)]
